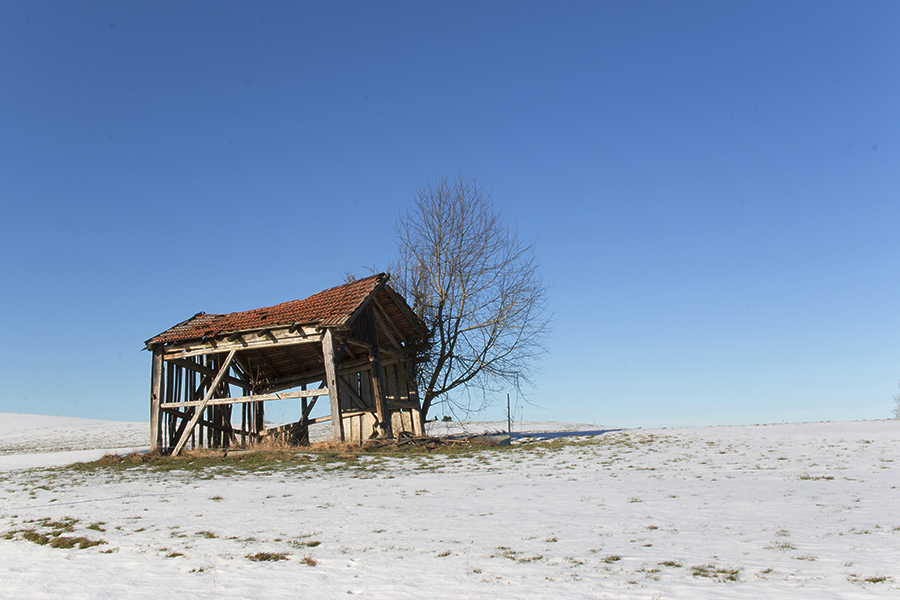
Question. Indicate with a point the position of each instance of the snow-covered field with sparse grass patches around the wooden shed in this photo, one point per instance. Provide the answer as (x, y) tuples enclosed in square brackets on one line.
[(774, 511)]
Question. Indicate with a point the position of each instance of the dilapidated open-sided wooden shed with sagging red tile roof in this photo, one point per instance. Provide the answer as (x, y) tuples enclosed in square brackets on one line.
[(349, 343)]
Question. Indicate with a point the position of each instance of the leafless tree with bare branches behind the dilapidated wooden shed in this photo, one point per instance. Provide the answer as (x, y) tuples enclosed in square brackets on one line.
[(476, 286)]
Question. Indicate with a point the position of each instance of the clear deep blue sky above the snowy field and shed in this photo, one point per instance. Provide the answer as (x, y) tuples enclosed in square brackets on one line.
[(712, 187)]
